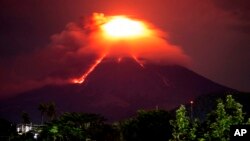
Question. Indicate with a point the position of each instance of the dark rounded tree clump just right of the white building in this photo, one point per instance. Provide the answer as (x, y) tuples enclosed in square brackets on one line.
[(78, 126)]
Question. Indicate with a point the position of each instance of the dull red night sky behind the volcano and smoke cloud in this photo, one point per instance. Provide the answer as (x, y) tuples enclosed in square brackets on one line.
[(214, 33)]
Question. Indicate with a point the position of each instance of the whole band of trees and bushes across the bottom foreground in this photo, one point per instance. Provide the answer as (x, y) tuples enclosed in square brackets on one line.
[(157, 125)]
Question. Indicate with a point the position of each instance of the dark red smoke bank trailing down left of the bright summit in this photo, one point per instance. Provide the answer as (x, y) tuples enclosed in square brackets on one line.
[(65, 57)]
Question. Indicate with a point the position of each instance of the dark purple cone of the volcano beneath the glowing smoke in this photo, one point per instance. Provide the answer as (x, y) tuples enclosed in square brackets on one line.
[(116, 90)]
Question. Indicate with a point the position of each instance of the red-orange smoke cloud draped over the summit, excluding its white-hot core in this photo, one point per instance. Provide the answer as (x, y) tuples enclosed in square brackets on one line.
[(73, 50)]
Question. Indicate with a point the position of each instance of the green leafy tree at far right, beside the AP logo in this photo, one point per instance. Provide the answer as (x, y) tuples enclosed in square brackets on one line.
[(227, 113)]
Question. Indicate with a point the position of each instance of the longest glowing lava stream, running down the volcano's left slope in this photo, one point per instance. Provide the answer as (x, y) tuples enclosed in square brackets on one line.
[(86, 74)]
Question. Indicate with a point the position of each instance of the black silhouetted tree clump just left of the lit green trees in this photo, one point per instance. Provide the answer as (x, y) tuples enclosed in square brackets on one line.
[(147, 126)]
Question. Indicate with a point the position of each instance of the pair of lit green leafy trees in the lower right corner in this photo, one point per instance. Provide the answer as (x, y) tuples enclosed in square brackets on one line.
[(216, 126)]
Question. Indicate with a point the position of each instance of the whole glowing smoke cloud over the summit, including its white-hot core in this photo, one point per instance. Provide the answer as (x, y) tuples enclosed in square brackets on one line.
[(76, 51)]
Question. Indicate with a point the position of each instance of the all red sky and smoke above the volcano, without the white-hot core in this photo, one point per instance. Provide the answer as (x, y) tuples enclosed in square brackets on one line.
[(214, 33)]
